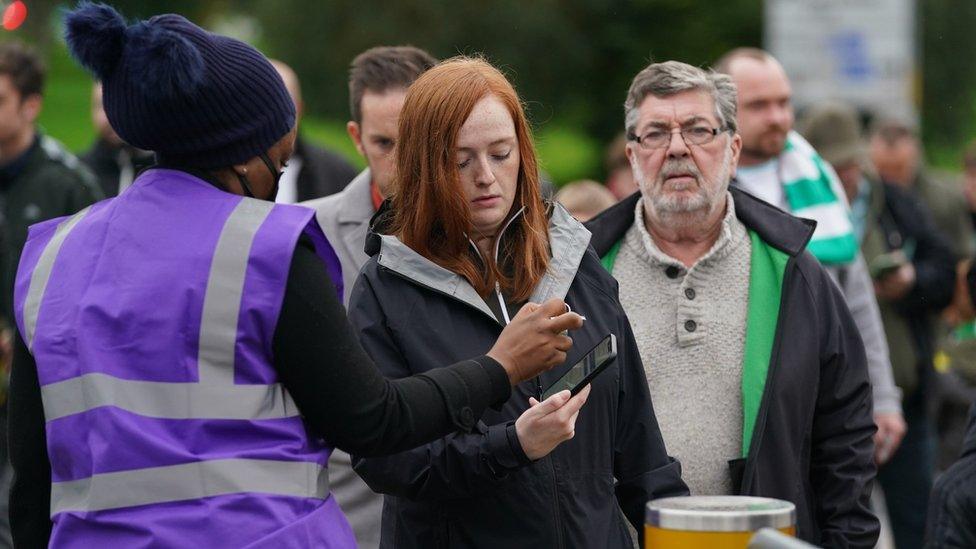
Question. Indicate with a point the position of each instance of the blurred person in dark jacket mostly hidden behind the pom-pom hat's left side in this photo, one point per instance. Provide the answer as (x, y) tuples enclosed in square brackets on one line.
[(114, 163)]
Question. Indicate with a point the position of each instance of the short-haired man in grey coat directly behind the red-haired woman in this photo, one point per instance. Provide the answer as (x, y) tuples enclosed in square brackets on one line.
[(378, 82)]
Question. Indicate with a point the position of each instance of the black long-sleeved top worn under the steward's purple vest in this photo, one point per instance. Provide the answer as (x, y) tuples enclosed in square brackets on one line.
[(335, 385)]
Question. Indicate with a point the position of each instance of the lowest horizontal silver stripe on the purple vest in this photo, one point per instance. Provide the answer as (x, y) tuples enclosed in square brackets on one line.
[(190, 481)]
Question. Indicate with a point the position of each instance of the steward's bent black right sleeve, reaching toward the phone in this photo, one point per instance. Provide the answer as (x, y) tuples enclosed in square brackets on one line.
[(342, 394)]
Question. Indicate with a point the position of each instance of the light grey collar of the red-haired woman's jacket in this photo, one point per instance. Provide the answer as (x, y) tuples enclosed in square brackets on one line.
[(568, 240)]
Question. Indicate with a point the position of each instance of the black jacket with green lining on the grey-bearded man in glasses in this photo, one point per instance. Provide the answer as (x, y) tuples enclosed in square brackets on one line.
[(812, 441)]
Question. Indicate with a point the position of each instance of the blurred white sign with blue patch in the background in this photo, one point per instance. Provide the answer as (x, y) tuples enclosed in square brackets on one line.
[(860, 51)]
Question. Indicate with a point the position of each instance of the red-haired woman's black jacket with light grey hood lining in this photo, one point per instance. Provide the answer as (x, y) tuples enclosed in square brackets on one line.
[(479, 489)]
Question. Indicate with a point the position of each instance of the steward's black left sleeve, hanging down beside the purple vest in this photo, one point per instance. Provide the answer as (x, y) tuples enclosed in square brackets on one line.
[(30, 494)]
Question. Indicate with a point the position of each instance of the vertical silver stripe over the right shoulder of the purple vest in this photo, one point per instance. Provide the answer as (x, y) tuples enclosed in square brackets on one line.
[(225, 286)]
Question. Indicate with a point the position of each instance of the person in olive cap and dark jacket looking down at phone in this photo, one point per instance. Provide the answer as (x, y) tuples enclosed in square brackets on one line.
[(913, 269)]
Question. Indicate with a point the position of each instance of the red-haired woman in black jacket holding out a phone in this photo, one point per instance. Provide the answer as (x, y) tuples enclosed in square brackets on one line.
[(467, 242)]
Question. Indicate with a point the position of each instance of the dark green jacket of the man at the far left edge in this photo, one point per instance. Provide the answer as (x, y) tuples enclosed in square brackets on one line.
[(47, 182)]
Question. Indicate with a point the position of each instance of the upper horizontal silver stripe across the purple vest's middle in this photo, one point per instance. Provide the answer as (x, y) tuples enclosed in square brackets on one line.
[(166, 400)]
